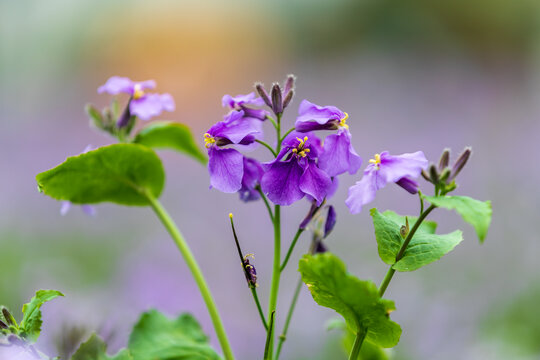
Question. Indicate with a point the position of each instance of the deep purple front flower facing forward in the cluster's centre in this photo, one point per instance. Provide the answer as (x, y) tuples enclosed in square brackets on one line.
[(288, 181)]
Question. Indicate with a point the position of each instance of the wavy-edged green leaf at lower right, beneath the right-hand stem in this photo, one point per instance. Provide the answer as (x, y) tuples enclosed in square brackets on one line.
[(356, 300)]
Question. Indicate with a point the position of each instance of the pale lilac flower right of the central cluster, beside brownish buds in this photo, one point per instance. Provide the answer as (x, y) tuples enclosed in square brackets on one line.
[(386, 168)]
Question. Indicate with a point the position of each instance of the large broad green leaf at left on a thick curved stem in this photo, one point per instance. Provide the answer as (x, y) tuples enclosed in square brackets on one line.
[(119, 173)]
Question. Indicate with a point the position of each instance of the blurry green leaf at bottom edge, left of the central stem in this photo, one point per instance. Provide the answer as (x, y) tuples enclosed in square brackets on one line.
[(155, 337)]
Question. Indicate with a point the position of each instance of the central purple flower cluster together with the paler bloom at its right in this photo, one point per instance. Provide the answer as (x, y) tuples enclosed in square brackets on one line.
[(304, 166)]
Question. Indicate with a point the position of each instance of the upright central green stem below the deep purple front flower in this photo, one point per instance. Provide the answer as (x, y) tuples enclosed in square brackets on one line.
[(272, 302)]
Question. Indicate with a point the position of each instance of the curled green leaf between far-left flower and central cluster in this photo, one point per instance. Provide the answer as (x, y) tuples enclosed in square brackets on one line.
[(170, 135)]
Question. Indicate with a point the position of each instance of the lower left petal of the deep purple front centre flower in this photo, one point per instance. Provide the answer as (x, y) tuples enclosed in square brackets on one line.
[(281, 181)]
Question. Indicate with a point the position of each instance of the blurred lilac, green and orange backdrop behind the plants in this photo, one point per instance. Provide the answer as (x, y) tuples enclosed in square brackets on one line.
[(413, 75)]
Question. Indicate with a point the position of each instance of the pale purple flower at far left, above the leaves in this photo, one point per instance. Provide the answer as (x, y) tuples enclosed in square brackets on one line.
[(141, 104)]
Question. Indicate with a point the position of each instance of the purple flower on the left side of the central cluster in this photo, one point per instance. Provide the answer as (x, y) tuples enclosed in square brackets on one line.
[(226, 165)]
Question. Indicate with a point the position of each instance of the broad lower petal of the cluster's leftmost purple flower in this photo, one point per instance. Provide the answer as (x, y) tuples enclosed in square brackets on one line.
[(226, 168)]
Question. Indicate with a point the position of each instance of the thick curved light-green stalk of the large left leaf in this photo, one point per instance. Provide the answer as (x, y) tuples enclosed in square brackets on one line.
[(195, 271)]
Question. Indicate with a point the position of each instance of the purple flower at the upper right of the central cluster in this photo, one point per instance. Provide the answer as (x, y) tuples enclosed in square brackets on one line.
[(338, 155)]
